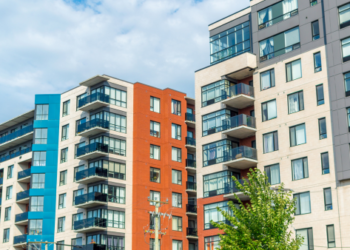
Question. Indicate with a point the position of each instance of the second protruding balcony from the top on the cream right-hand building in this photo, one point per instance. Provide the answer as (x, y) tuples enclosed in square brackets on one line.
[(240, 126)]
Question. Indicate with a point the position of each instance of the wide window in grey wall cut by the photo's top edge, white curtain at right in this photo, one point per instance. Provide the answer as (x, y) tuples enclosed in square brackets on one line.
[(277, 13)]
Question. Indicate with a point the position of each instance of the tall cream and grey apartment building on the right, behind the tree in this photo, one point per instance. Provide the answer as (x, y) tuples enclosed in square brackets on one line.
[(275, 97)]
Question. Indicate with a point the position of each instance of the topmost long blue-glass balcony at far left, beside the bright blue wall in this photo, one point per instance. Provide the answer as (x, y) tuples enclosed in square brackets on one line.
[(16, 138)]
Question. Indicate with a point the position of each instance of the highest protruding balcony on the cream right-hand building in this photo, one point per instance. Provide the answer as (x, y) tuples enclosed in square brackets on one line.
[(240, 96)]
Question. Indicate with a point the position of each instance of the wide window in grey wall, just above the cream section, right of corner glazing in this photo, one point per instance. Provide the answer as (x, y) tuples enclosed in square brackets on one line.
[(279, 44)]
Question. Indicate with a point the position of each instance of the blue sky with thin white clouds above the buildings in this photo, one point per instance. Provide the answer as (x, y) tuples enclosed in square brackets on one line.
[(49, 46)]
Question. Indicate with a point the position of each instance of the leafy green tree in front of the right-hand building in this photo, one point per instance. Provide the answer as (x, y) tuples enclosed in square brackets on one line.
[(262, 223)]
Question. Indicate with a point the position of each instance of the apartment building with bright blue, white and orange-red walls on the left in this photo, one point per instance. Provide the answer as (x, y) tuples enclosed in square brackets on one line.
[(81, 168)]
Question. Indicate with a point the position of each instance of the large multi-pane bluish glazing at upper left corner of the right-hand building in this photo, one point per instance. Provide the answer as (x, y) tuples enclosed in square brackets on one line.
[(230, 43)]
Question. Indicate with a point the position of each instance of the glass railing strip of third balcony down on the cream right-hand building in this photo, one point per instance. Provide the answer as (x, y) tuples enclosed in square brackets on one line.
[(230, 155)]
